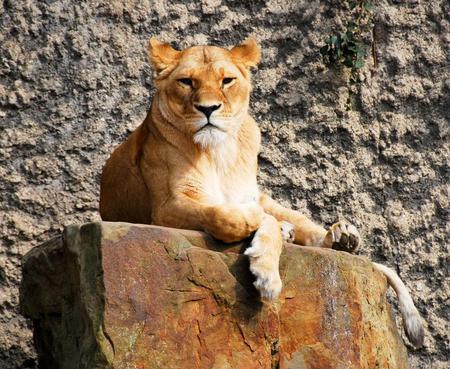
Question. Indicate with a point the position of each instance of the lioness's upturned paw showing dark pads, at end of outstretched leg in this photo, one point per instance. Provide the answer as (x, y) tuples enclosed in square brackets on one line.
[(342, 236)]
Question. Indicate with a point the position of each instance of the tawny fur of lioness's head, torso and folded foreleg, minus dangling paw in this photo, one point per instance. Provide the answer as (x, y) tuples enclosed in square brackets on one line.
[(173, 168)]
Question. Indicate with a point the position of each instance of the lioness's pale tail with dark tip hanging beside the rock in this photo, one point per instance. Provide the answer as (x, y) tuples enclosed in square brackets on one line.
[(412, 320)]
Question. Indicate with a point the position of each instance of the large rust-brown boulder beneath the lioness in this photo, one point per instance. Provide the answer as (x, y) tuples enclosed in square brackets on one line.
[(115, 295)]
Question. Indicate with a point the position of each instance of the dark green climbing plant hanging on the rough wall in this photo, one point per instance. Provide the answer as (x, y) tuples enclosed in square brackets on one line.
[(350, 48)]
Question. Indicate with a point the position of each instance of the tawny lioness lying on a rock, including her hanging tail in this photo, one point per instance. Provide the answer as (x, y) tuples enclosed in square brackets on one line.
[(192, 164)]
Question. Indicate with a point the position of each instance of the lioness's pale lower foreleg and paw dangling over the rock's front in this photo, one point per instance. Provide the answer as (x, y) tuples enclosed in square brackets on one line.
[(264, 253)]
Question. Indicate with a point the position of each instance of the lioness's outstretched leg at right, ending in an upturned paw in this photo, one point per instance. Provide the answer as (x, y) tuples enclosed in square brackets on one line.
[(341, 235)]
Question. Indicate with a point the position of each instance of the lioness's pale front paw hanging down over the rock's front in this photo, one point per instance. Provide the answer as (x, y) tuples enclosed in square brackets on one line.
[(264, 266)]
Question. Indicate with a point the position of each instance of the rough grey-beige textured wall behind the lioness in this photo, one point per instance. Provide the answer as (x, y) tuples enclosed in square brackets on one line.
[(74, 82)]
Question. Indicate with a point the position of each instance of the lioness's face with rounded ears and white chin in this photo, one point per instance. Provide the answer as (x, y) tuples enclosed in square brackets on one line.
[(204, 90)]
